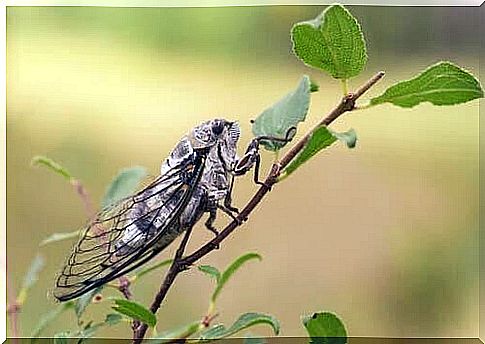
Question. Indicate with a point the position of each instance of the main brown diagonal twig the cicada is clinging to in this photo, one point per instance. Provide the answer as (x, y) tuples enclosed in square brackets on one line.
[(179, 264)]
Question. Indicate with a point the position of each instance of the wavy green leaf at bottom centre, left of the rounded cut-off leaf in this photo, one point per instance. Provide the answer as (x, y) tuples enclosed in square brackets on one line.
[(243, 322)]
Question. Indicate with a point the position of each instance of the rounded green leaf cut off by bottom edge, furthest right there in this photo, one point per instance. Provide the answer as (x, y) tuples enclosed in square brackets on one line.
[(325, 328)]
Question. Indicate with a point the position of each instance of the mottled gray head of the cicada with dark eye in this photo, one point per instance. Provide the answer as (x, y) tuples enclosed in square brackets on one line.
[(215, 132)]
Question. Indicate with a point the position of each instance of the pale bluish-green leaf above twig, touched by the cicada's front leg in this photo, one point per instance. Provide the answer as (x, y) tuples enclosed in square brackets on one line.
[(277, 120)]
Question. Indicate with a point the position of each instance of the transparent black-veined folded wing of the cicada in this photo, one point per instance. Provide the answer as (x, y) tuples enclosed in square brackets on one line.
[(128, 233)]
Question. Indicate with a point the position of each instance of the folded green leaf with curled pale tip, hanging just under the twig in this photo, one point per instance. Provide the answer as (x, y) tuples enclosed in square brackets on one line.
[(321, 138)]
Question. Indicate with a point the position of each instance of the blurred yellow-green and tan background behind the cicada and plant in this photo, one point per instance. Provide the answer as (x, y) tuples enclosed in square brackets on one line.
[(385, 235)]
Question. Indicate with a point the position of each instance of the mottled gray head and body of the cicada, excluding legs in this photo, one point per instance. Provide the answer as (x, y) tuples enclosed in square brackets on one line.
[(216, 140)]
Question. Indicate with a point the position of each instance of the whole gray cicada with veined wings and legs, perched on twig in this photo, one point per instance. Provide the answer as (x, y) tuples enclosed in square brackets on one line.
[(196, 178)]
